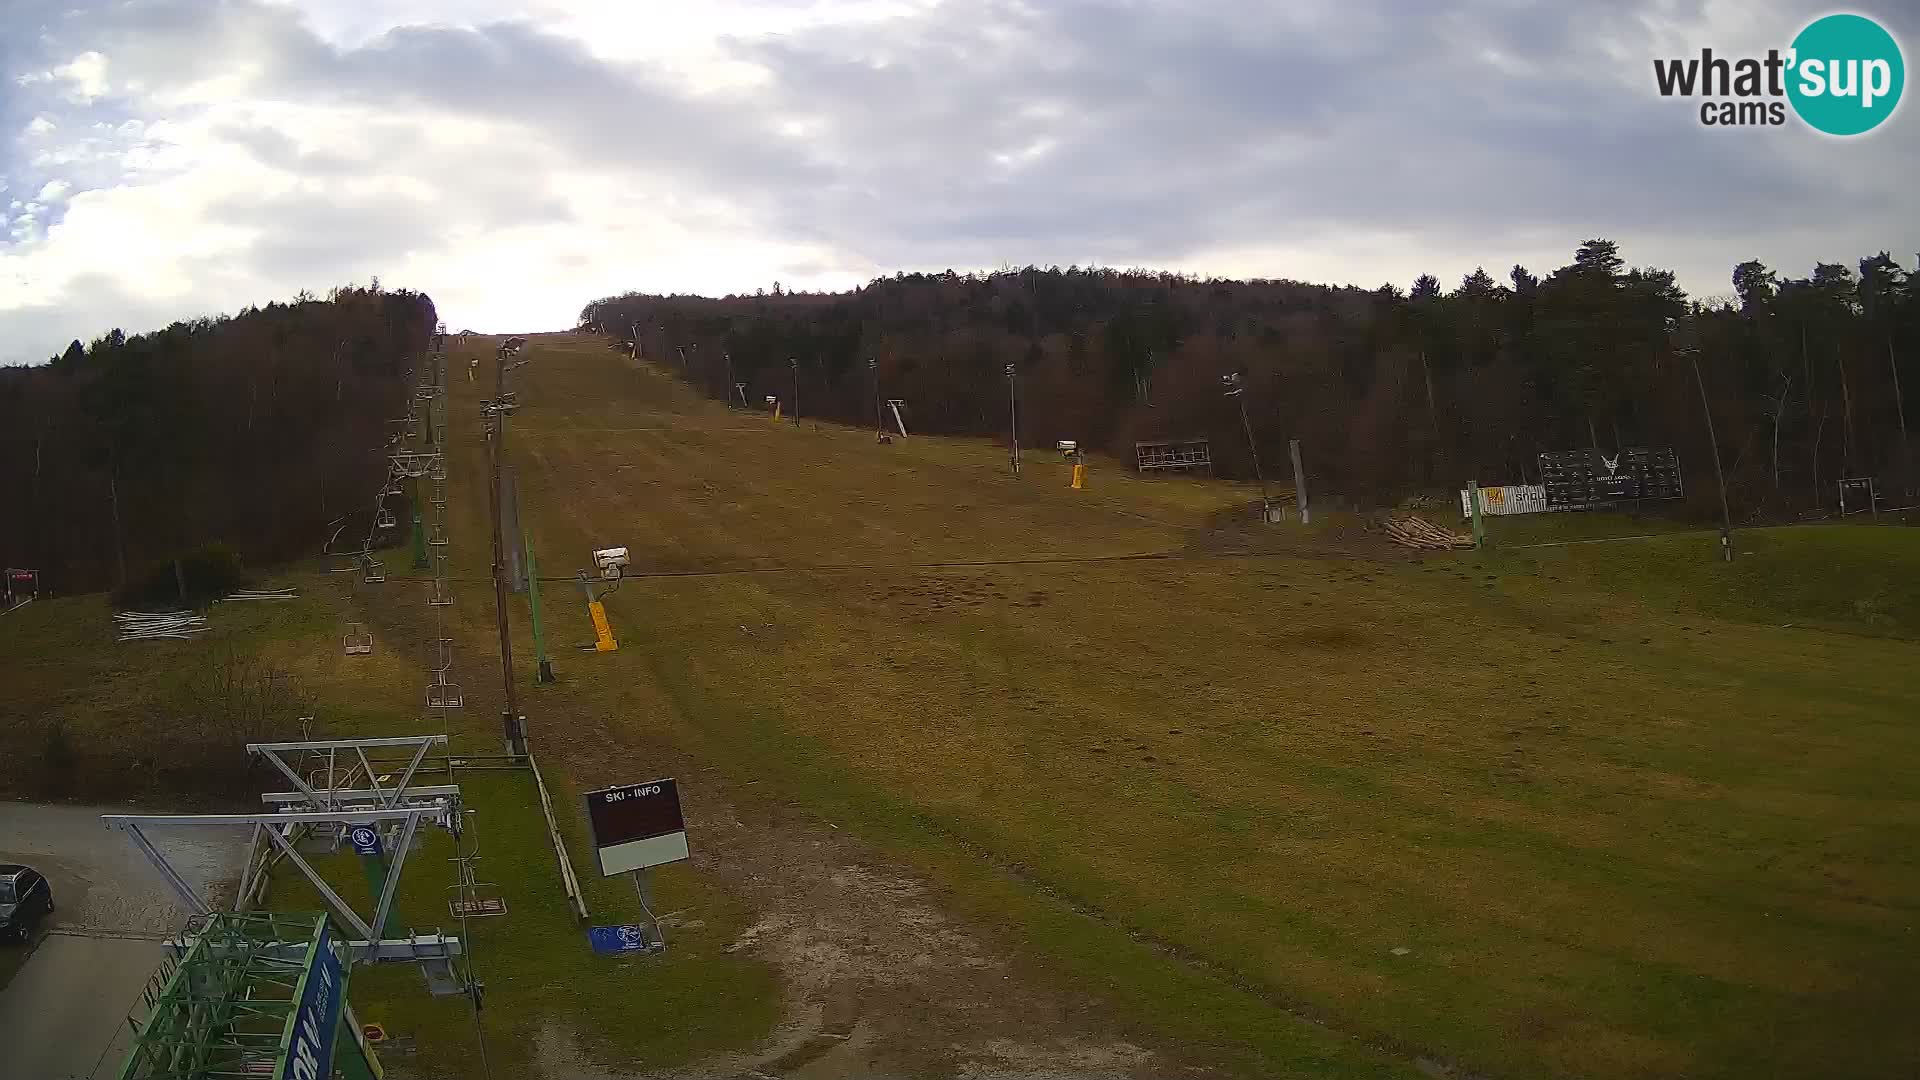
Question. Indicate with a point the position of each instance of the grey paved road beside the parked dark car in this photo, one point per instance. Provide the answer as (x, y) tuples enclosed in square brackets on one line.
[(64, 998)]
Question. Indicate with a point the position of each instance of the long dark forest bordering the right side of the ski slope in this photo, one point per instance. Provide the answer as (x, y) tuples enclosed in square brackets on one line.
[(1391, 393)]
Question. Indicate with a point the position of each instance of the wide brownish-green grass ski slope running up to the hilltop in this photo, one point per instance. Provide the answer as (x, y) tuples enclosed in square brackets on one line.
[(1621, 822)]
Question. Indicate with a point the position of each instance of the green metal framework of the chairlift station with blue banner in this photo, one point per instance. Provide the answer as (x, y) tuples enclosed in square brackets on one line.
[(241, 994)]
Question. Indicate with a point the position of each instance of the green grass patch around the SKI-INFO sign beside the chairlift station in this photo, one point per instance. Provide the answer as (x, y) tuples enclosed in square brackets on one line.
[(535, 962)]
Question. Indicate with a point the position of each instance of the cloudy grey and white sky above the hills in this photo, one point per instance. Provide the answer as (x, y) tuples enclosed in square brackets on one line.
[(172, 159)]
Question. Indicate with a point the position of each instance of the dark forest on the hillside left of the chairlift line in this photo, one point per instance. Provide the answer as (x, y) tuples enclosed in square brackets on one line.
[(249, 431)]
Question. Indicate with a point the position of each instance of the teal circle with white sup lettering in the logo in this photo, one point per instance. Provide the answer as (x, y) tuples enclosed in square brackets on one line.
[(1848, 76)]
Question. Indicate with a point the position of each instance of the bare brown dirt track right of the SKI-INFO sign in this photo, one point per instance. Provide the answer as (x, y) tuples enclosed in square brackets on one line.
[(878, 979)]
